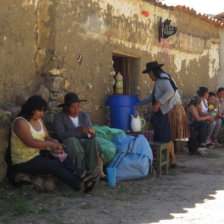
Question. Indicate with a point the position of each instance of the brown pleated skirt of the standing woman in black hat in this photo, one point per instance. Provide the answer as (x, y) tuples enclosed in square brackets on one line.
[(178, 123)]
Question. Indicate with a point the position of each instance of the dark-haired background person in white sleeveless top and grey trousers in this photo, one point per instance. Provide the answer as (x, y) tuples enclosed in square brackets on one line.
[(213, 125)]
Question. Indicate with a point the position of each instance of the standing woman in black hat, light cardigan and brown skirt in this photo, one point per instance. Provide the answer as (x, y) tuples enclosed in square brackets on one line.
[(169, 118)]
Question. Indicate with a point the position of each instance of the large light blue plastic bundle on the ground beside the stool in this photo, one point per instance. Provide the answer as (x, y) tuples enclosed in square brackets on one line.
[(134, 157)]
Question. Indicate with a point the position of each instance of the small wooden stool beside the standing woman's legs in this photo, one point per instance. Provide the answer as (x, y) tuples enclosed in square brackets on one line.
[(161, 154)]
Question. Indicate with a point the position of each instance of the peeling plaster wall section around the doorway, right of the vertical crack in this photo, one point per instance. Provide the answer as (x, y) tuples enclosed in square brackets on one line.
[(98, 28)]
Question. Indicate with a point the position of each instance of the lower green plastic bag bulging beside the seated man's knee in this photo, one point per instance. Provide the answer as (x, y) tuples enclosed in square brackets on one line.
[(109, 149)]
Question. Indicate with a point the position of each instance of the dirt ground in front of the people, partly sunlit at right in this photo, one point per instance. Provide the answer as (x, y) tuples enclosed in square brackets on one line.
[(193, 193)]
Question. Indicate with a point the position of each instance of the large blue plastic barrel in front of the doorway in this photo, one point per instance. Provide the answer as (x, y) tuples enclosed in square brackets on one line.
[(121, 107)]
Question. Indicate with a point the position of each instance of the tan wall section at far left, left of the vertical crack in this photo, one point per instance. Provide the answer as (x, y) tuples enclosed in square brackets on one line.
[(18, 49)]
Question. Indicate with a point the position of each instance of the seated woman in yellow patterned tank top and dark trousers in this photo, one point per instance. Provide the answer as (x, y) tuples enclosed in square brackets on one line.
[(29, 136)]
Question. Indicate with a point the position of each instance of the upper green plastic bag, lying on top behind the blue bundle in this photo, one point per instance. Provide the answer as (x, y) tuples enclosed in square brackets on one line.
[(107, 132)]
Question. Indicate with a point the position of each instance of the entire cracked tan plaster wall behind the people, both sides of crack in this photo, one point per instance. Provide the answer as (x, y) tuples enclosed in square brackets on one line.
[(44, 30)]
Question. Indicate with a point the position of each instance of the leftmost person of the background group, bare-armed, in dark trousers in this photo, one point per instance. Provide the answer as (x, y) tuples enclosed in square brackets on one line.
[(198, 124)]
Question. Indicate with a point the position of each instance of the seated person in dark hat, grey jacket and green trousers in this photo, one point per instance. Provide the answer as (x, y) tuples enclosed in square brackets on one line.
[(74, 128)]
